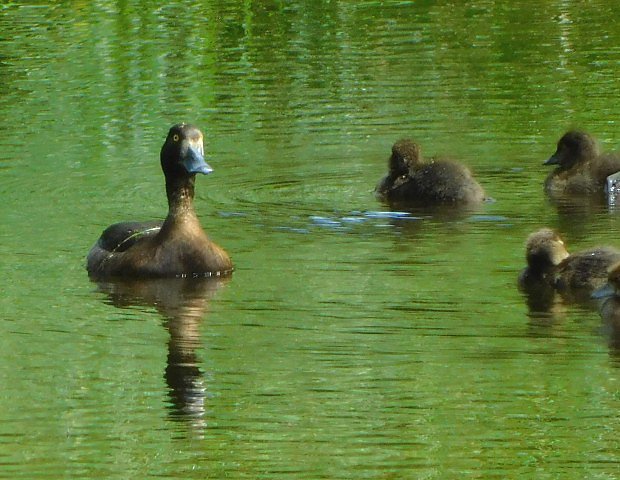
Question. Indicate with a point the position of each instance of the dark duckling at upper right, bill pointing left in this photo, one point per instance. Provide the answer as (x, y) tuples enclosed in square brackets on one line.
[(581, 168)]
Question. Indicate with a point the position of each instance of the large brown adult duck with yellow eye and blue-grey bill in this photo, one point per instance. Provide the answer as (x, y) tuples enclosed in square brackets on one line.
[(178, 246)]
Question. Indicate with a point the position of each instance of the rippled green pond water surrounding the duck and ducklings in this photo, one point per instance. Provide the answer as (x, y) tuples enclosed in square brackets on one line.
[(351, 341)]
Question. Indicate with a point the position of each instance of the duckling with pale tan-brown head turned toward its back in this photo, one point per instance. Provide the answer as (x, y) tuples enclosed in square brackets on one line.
[(551, 268)]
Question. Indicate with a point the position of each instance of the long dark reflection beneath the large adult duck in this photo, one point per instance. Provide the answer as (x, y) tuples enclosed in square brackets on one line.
[(182, 302)]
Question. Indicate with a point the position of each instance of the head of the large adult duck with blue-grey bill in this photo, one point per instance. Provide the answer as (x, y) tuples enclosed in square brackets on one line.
[(182, 154)]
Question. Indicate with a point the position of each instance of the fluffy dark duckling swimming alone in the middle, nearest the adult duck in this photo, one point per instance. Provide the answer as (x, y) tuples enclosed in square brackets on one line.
[(410, 179)]
